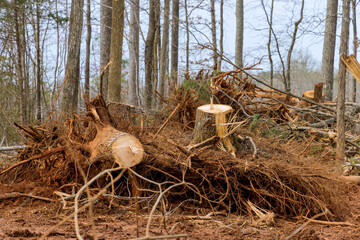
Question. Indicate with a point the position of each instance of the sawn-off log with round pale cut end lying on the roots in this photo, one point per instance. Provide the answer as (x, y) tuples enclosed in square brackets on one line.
[(124, 148)]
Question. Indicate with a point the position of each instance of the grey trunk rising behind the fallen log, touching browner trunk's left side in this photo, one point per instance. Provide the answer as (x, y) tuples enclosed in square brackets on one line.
[(105, 41)]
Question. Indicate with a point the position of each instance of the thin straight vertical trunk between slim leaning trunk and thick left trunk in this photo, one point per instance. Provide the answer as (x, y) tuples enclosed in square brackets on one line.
[(38, 62)]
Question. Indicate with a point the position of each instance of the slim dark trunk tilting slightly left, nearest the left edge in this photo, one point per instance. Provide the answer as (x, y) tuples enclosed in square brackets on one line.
[(20, 63)]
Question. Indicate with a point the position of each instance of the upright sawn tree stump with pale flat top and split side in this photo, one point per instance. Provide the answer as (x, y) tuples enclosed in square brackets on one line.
[(211, 121)]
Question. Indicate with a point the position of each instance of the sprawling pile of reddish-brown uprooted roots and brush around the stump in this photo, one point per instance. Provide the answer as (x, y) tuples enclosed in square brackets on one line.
[(267, 174)]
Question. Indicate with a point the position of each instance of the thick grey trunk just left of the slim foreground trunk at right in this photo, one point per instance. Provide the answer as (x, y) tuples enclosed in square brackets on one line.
[(327, 68)]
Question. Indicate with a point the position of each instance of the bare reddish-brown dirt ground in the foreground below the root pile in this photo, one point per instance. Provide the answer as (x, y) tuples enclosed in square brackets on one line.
[(28, 218)]
